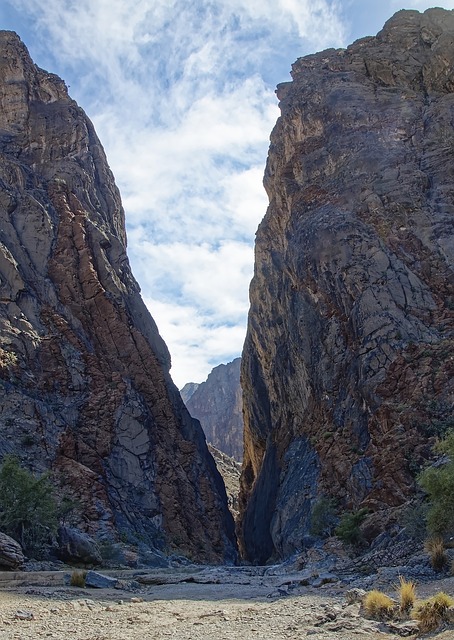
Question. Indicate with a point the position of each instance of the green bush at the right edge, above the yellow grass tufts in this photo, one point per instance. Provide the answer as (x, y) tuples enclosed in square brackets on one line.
[(438, 483)]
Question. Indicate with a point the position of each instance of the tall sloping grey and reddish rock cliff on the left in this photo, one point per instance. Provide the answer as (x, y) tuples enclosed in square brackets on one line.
[(85, 388)]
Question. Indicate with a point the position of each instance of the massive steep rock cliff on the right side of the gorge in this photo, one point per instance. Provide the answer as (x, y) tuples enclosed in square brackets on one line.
[(348, 362)]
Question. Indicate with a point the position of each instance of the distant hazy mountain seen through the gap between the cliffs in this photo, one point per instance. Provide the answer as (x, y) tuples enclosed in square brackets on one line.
[(217, 403)]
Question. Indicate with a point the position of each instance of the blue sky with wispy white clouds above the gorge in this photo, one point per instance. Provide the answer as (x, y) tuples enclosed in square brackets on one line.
[(182, 96)]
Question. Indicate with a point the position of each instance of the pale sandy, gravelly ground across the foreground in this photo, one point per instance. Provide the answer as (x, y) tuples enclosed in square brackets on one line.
[(190, 612)]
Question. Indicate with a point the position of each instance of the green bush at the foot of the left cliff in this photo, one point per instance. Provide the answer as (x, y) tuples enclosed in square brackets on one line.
[(28, 509)]
